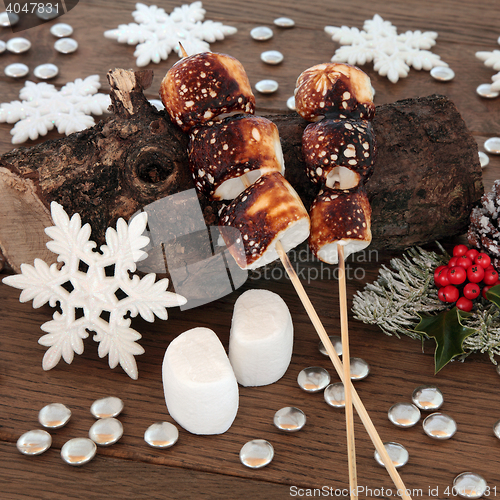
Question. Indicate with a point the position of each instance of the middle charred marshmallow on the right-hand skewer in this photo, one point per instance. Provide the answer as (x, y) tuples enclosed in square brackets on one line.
[(339, 153)]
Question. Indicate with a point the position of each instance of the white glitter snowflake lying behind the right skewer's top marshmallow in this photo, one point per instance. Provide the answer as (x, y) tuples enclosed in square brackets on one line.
[(392, 54)]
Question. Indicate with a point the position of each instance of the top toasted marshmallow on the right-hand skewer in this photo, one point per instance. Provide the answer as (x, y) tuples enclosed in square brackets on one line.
[(334, 90)]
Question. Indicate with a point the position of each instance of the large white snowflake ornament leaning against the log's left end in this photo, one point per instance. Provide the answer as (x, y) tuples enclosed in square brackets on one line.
[(94, 290)]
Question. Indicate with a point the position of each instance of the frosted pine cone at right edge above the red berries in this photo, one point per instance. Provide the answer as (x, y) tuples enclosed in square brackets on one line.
[(484, 228)]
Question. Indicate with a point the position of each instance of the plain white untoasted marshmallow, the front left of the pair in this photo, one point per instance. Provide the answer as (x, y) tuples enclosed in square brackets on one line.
[(201, 391)]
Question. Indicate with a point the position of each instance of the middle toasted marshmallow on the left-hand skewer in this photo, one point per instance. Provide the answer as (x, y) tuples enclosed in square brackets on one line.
[(222, 152)]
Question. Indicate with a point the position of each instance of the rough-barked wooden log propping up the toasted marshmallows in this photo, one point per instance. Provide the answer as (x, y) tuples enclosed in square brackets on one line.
[(427, 174)]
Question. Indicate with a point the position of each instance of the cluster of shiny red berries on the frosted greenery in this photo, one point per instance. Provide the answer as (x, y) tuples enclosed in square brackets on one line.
[(468, 274)]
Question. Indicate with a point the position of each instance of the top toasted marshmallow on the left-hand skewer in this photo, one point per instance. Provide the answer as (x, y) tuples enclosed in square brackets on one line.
[(201, 87)]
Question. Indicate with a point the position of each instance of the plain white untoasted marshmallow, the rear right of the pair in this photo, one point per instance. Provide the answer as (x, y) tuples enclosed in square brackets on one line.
[(261, 339)]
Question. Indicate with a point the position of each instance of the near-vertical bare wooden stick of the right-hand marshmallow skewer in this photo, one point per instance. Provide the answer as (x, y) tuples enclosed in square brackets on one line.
[(349, 419)]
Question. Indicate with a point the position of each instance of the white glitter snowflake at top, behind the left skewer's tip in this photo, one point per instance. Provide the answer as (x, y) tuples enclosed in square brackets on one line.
[(157, 33)]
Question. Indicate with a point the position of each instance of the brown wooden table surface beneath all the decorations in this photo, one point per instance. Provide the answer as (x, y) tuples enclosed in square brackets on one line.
[(209, 466)]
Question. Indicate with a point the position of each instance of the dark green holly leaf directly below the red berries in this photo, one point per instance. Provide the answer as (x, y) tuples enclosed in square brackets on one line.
[(448, 332)]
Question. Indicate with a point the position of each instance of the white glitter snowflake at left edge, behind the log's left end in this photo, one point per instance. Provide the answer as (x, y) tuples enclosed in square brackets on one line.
[(43, 107)]
